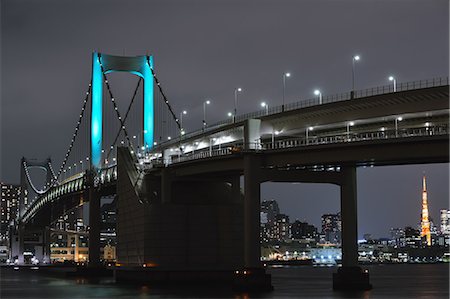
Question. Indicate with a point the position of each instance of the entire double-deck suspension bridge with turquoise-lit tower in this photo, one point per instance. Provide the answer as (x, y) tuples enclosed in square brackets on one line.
[(169, 182)]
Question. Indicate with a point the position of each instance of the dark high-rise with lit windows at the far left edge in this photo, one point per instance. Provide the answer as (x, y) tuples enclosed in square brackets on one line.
[(9, 206)]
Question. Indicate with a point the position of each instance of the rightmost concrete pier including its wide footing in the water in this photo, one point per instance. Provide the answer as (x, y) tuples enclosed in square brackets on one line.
[(350, 276)]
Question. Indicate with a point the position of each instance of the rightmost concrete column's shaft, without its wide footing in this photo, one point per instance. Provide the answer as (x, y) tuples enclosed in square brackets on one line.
[(349, 218)]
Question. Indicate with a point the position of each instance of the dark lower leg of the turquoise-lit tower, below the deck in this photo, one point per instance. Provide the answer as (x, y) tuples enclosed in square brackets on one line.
[(94, 227)]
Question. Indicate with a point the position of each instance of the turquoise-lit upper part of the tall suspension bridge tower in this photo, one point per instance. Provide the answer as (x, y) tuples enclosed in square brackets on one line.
[(103, 64)]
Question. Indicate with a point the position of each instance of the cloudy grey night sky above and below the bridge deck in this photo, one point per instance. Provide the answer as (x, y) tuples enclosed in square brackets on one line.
[(204, 49)]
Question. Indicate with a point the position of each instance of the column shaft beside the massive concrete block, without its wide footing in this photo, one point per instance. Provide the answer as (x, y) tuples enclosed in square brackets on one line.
[(252, 249)]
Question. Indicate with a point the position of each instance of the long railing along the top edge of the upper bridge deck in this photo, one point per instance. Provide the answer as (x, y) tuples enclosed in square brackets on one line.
[(384, 89)]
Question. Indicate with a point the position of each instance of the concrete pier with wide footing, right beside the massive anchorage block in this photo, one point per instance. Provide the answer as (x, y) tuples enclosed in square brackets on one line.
[(253, 276)]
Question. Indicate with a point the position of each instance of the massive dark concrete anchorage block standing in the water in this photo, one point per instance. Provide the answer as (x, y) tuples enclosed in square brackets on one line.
[(177, 230)]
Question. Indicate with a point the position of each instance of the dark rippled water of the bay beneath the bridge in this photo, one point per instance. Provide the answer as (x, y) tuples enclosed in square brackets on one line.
[(389, 281)]
